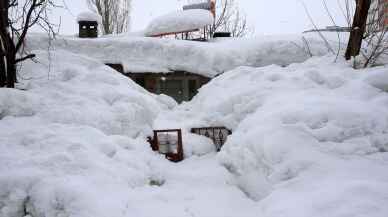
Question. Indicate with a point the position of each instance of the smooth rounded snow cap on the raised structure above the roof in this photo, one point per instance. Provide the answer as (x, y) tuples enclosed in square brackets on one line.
[(180, 21)]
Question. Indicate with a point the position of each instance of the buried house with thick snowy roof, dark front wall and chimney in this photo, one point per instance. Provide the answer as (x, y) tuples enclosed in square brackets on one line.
[(178, 68)]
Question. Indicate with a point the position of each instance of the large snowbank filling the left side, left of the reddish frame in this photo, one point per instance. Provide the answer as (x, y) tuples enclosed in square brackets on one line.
[(73, 142)]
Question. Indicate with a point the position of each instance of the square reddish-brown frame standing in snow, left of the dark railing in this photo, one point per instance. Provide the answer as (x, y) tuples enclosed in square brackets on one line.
[(156, 144)]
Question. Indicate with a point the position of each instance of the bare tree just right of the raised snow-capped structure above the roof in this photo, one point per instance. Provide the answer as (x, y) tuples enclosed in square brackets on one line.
[(231, 19)]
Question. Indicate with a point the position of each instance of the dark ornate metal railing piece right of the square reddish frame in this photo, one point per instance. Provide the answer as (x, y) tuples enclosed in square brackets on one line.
[(211, 132)]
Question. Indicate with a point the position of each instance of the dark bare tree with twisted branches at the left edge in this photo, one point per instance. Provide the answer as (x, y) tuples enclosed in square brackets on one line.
[(16, 19)]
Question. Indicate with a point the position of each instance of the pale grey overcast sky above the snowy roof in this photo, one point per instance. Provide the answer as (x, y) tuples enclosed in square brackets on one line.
[(266, 16)]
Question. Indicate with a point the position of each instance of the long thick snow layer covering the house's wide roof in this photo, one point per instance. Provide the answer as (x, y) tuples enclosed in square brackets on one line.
[(139, 54)]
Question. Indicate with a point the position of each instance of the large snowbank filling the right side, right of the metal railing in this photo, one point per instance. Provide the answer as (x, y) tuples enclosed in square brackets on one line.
[(308, 140)]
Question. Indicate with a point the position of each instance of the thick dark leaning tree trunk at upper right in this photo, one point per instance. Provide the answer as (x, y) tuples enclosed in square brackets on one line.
[(358, 28)]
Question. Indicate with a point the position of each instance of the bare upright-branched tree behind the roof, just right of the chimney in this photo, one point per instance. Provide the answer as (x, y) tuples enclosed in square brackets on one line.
[(114, 13)]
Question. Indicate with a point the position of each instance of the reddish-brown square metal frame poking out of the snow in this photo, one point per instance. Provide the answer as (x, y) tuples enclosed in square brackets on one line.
[(170, 156)]
